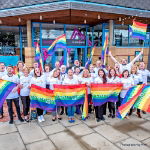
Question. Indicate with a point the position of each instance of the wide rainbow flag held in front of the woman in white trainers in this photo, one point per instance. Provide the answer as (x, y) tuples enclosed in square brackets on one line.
[(42, 98)]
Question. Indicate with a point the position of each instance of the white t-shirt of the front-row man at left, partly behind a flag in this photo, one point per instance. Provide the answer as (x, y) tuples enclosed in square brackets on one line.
[(14, 79)]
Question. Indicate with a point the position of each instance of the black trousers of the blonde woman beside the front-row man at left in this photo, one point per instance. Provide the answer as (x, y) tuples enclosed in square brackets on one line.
[(26, 104)]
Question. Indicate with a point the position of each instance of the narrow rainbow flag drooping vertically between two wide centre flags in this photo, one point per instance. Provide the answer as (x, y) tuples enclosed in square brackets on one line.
[(85, 107)]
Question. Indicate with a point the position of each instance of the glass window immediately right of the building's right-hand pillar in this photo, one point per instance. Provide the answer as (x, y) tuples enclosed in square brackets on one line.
[(121, 35)]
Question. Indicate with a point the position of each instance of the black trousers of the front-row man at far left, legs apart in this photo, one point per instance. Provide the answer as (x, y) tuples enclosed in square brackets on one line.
[(10, 108)]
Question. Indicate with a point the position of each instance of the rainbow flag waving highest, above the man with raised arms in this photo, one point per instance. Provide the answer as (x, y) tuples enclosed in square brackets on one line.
[(138, 30)]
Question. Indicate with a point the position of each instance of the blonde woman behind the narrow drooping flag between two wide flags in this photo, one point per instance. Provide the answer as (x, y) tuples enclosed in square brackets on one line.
[(87, 79)]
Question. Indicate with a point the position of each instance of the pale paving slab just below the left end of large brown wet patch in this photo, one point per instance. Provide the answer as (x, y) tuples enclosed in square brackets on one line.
[(110, 133)]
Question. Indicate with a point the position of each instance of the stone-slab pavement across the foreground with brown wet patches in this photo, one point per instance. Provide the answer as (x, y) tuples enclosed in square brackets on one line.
[(111, 134)]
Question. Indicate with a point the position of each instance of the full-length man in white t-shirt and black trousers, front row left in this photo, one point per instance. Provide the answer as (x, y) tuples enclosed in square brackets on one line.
[(13, 95)]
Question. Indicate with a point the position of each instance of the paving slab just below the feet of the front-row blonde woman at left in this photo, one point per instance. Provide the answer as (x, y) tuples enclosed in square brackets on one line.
[(31, 133)]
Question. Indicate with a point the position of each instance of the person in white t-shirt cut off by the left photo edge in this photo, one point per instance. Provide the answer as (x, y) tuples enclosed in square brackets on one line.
[(2, 73)]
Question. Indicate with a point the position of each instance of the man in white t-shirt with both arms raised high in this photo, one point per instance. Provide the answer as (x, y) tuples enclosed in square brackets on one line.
[(124, 65)]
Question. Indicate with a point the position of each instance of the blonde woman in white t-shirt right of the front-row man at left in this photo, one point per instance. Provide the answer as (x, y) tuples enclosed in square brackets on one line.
[(25, 91)]
